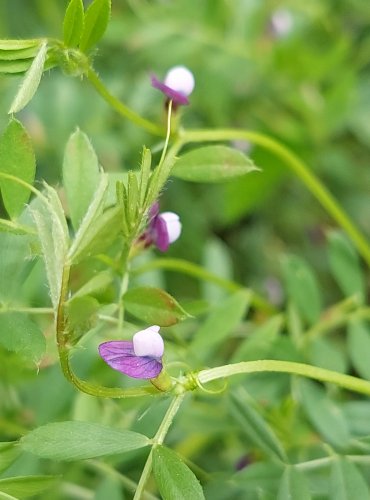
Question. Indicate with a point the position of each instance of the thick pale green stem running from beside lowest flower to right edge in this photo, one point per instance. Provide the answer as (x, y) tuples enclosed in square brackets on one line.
[(346, 381)]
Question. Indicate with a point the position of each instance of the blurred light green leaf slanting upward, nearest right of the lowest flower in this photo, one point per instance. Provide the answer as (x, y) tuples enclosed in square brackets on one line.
[(219, 324)]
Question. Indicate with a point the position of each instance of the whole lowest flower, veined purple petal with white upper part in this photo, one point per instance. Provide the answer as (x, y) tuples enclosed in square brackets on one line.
[(141, 358)]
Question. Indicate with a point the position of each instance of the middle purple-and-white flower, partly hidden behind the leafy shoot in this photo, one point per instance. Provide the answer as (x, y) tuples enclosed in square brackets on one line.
[(163, 228)]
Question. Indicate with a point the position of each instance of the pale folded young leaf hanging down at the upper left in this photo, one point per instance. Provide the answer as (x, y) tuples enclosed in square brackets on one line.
[(31, 81)]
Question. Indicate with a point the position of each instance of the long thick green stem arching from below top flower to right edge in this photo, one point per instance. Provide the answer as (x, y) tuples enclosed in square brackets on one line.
[(298, 167)]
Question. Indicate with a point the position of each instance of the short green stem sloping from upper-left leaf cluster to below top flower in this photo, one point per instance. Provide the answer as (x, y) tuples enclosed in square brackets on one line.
[(121, 108)]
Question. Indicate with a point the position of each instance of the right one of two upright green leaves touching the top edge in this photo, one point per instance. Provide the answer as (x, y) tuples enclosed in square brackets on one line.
[(96, 22)]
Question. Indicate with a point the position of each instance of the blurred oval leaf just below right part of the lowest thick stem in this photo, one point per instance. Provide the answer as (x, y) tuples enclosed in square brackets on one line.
[(324, 414)]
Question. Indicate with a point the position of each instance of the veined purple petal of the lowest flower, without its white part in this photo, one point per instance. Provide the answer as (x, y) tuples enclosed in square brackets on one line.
[(119, 355)]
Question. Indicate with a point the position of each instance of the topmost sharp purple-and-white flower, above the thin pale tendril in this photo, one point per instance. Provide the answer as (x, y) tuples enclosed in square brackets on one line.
[(177, 85)]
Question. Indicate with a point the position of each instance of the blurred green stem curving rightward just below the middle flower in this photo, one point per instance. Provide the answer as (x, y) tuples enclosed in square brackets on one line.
[(185, 267)]
